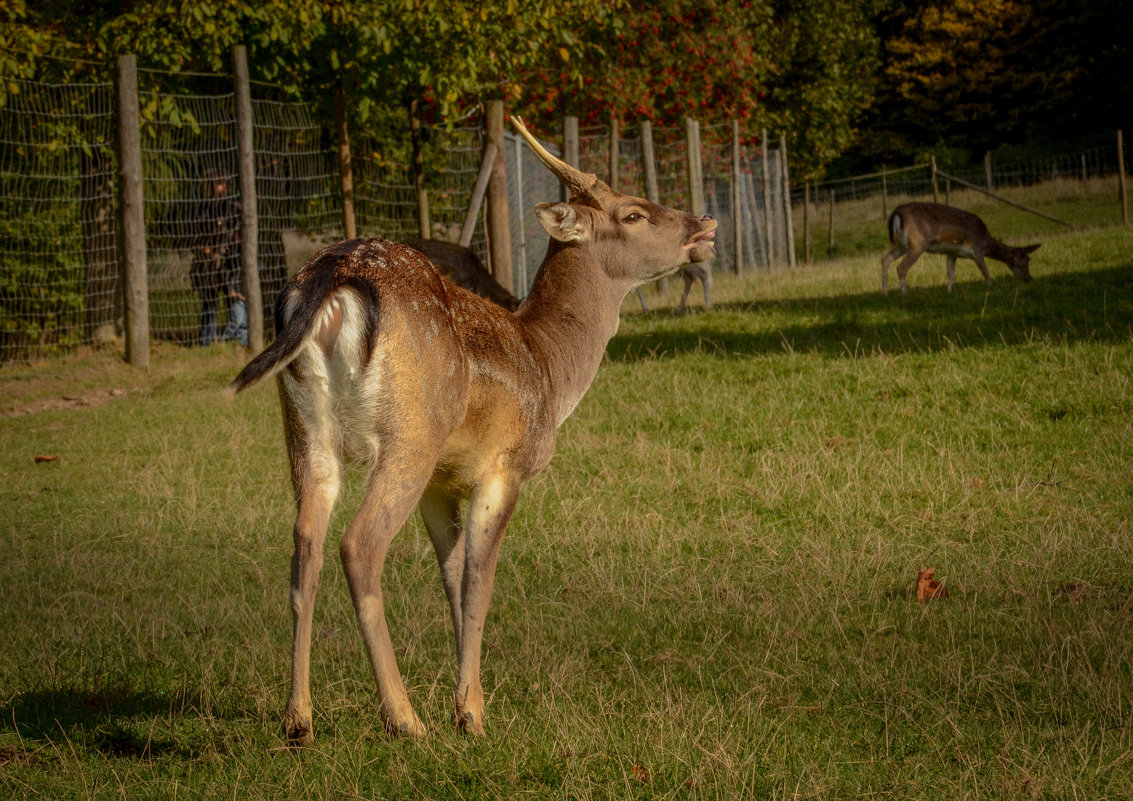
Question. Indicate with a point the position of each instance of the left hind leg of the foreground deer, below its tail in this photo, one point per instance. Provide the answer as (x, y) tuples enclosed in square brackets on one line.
[(316, 496)]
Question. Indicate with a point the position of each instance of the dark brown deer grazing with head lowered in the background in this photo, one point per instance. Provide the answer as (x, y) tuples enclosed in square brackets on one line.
[(916, 228)]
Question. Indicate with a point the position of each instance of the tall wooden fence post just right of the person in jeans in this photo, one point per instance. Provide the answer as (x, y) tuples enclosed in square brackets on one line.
[(250, 221)]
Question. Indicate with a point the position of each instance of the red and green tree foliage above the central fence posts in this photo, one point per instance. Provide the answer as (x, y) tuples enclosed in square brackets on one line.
[(805, 69)]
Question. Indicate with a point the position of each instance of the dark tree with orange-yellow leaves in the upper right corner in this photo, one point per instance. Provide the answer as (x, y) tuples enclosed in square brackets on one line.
[(968, 76)]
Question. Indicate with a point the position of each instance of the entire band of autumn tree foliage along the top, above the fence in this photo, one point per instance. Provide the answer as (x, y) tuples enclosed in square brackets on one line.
[(884, 79)]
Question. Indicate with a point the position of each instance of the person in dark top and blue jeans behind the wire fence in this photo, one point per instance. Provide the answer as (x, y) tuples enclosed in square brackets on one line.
[(216, 266)]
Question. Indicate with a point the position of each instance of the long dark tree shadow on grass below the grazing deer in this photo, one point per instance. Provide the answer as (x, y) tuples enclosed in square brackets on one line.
[(1095, 306)]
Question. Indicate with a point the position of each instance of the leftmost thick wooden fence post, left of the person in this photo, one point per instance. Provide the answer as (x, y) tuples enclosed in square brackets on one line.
[(135, 285)]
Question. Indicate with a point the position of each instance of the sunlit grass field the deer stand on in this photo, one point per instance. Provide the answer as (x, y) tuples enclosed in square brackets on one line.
[(708, 595)]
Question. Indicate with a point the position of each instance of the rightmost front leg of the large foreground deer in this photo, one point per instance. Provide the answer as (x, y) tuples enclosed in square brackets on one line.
[(490, 510)]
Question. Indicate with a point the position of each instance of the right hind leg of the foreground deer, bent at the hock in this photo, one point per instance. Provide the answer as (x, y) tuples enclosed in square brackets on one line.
[(394, 489)]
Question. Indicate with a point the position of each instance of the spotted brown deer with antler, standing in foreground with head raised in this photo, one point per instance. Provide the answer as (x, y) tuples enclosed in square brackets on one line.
[(447, 399)]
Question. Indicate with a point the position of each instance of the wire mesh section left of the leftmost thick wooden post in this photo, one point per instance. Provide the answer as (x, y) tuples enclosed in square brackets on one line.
[(58, 246)]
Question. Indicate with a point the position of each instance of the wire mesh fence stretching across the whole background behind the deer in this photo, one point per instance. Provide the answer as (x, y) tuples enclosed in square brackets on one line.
[(61, 284)]
